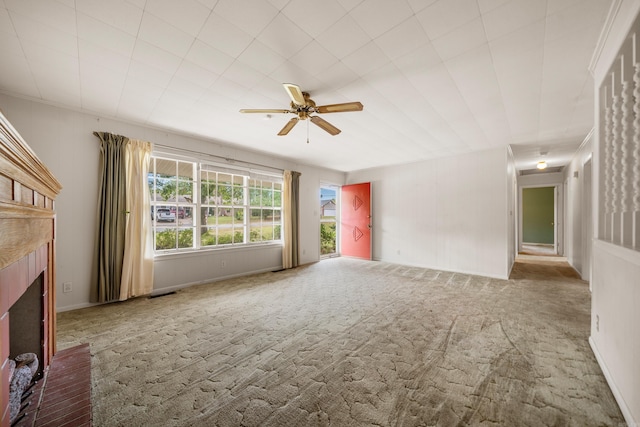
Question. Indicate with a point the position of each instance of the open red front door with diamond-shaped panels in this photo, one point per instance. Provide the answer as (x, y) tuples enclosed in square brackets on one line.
[(355, 221)]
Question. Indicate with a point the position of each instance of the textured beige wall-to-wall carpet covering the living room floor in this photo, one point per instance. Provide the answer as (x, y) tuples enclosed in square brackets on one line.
[(345, 342)]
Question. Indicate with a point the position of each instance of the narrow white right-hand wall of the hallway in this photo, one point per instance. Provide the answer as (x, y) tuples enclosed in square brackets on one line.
[(576, 234)]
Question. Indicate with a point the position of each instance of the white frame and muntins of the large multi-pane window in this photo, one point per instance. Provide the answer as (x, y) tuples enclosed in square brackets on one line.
[(237, 181)]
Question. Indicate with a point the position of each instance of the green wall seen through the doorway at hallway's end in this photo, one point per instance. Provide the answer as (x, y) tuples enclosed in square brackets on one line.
[(537, 215)]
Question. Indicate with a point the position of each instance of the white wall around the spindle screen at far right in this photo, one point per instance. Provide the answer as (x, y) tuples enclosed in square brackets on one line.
[(615, 307)]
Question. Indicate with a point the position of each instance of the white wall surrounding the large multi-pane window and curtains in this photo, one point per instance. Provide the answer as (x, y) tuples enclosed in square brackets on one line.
[(64, 141)]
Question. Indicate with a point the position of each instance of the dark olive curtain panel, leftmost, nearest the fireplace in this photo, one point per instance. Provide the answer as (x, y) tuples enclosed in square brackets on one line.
[(111, 219)]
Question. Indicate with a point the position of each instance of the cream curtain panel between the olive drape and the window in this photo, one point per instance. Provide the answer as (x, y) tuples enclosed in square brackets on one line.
[(137, 266)]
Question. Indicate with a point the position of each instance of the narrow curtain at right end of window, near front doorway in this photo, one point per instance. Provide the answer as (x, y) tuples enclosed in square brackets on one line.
[(290, 215)]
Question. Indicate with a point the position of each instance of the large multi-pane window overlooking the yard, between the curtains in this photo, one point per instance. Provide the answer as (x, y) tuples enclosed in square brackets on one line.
[(226, 206)]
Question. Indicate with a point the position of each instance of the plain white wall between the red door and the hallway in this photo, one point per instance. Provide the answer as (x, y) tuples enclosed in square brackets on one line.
[(448, 213)]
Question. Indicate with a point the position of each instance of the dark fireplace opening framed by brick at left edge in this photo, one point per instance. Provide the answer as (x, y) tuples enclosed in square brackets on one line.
[(26, 330)]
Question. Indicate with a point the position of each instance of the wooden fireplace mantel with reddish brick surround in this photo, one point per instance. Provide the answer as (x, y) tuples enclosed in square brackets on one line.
[(27, 242)]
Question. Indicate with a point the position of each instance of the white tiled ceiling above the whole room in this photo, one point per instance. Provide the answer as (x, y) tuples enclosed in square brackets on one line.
[(436, 77)]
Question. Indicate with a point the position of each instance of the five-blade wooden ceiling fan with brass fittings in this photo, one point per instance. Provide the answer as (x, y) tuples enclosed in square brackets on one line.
[(303, 106)]
